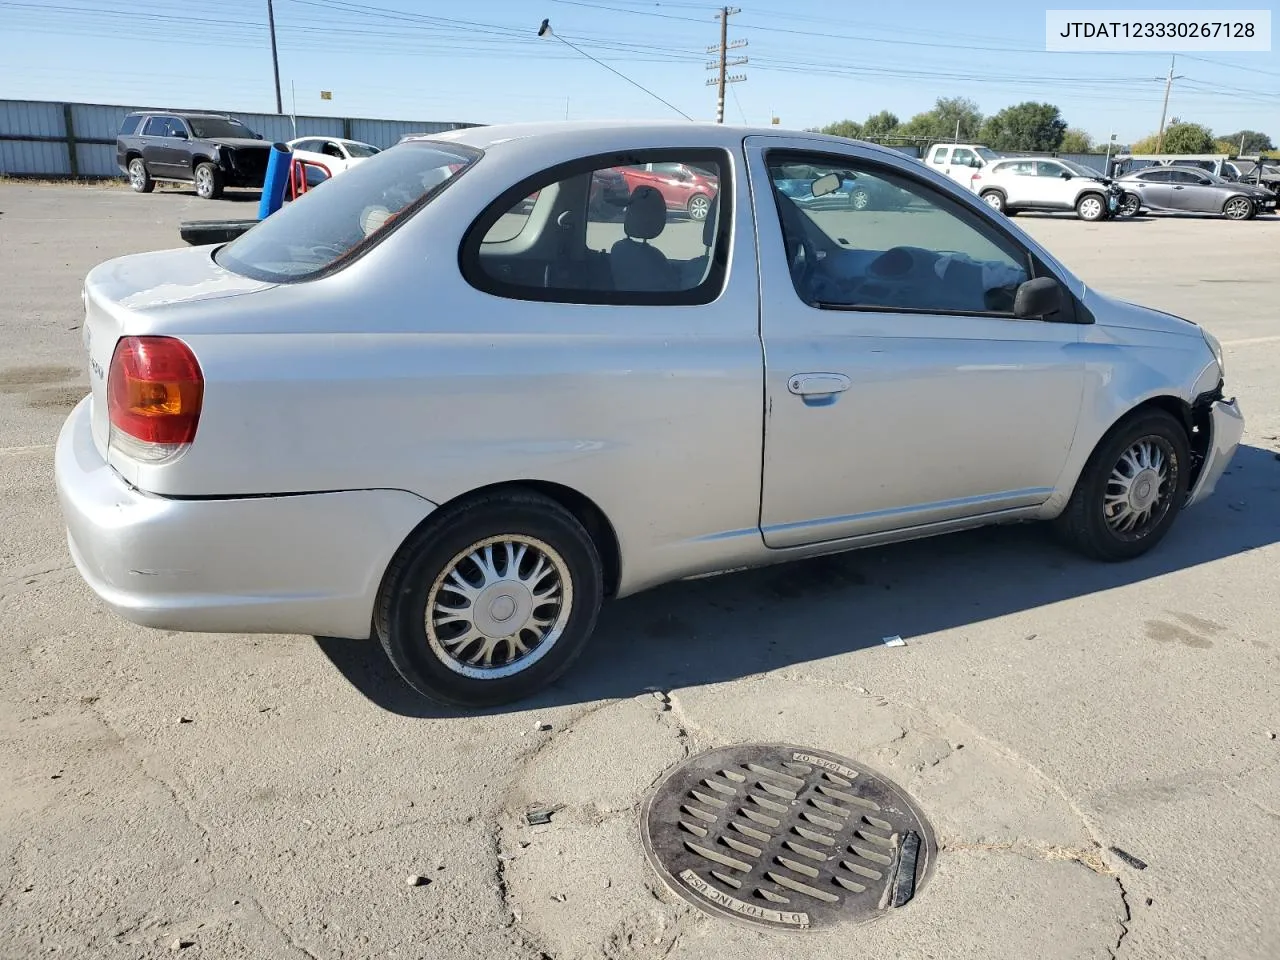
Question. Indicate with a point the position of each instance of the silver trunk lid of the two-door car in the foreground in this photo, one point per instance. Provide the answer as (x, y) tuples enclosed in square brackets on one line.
[(122, 299)]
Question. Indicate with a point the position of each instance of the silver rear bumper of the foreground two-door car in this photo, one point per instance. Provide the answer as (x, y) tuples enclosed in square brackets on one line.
[(307, 564)]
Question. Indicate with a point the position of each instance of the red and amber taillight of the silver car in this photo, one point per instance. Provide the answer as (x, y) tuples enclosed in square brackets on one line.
[(154, 394)]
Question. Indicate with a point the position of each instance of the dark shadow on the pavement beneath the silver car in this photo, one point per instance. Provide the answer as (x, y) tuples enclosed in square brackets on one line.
[(734, 627)]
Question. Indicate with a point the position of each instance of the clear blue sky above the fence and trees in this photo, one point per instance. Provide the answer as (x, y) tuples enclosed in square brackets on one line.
[(811, 62)]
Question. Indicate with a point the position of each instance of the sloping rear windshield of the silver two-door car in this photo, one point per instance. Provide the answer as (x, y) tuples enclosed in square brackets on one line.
[(333, 223)]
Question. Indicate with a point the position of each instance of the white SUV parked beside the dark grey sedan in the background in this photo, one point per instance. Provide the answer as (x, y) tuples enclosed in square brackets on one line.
[(1041, 184)]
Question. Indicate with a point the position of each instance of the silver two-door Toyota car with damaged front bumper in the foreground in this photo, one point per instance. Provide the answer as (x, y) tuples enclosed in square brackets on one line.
[(446, 403)]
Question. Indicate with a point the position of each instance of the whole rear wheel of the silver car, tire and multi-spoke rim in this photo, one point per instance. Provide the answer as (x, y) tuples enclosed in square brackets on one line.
[(492, 602)]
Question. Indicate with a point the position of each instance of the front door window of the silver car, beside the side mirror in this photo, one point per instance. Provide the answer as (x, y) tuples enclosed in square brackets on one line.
[(913, 249)]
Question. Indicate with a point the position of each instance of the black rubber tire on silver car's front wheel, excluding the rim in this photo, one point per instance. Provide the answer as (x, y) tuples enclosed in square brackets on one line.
[(1085, 524)]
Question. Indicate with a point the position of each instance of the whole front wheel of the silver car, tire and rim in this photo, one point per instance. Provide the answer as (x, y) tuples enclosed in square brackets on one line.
[(1131, 491)]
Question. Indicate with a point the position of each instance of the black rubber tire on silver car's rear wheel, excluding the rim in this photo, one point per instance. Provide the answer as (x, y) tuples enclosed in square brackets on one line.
[(423, 565)]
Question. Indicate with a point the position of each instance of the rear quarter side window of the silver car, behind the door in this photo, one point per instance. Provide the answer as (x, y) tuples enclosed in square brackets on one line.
[(609, 234)]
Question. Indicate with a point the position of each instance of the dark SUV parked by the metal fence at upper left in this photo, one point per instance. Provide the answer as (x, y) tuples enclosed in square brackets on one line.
[(204, 149)]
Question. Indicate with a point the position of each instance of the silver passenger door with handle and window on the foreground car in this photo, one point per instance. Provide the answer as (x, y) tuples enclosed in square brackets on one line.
[(900, 392)]
